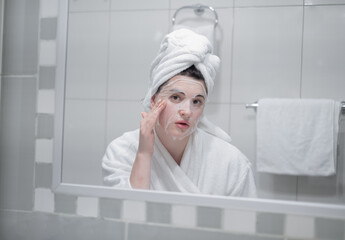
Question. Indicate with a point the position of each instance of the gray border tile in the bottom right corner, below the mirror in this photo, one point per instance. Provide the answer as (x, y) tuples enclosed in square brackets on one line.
[(331, 229)]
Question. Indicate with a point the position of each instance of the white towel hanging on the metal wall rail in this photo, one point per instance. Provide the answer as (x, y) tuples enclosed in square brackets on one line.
[(297, 136)]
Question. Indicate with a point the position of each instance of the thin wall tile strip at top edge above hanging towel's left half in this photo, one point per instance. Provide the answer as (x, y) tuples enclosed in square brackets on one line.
[(257, 3)]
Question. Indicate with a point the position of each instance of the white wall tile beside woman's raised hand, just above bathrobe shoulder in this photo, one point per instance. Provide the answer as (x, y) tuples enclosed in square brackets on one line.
[(122, 117)]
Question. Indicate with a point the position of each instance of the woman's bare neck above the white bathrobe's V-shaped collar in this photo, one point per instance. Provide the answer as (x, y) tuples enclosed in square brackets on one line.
[(175, 147)]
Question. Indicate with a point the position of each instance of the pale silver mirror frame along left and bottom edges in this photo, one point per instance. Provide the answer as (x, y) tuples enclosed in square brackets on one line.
[(258, 205)]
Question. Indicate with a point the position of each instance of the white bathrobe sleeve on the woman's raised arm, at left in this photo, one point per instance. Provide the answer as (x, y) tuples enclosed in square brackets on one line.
[(118, 160)]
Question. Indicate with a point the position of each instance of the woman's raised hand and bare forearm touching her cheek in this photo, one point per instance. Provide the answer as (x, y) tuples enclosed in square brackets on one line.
[(141, 170)]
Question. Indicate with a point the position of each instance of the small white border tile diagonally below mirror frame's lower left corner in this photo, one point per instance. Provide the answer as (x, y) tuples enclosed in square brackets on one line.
[(44, 200)]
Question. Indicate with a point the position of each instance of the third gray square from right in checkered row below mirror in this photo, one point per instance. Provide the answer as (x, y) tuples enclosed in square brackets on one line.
[(209, 217)]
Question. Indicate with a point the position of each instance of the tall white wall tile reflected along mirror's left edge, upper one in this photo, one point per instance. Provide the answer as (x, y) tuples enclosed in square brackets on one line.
[(87, 55)]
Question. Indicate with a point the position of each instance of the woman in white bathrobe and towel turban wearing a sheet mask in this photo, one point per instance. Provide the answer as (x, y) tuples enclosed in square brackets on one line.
[(176, 148)]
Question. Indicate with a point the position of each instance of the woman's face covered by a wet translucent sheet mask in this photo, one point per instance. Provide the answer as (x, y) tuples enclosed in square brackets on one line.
[(185, 99)]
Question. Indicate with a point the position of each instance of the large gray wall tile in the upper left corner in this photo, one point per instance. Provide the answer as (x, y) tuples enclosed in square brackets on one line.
[(20, 43)]
